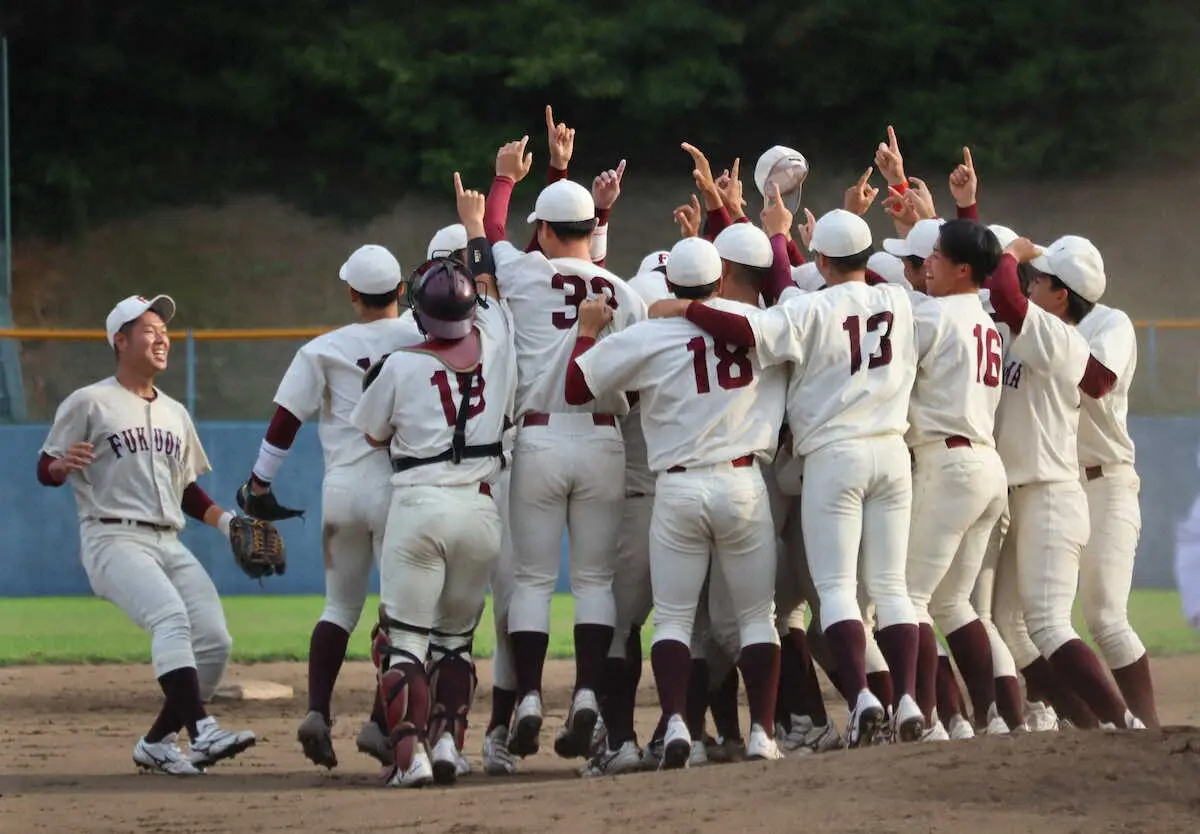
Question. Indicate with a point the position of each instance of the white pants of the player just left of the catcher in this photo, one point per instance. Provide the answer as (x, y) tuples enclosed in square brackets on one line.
[(355, 514)]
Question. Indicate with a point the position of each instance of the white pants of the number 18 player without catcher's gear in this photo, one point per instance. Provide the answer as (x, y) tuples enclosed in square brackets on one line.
[(719, 511)]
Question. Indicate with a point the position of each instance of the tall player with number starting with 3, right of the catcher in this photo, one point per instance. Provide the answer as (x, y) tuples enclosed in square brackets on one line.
[(568, 463)]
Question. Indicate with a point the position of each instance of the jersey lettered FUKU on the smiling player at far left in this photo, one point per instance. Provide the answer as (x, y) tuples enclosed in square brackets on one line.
[(147, 453)]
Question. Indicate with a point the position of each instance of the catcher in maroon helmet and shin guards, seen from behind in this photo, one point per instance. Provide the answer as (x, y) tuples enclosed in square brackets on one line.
[(443, 533)]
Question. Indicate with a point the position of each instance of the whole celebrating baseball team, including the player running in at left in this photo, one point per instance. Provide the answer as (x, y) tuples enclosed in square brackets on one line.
[(891, 465)]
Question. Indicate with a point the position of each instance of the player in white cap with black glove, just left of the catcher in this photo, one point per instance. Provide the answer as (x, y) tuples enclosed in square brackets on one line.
[(325, 381)]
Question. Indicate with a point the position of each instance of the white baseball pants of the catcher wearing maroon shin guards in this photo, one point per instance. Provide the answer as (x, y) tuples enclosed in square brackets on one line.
[(439, 554)]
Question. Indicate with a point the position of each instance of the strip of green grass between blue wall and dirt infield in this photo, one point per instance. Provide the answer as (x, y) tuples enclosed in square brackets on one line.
[(82, 629)]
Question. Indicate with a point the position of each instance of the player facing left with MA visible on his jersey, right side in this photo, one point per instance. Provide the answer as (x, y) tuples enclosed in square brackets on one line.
[(1047, 367)]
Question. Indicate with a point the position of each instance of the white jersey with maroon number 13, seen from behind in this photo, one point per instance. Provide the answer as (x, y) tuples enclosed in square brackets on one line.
[(855, 359)]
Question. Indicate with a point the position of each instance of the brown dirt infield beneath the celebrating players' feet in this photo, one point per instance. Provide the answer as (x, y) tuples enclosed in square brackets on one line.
[(68, 733)]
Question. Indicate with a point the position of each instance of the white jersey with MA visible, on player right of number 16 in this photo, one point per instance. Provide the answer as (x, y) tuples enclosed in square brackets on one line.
[(1037, 423)]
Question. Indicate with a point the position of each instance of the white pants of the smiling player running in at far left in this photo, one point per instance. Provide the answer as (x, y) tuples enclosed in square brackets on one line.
[(161, 586)]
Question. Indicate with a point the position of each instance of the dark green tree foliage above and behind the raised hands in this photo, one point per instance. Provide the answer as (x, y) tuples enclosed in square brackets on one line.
[(344, 105)]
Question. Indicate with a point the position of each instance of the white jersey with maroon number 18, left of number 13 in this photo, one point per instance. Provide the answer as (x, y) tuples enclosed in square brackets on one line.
[(704, 403)]
